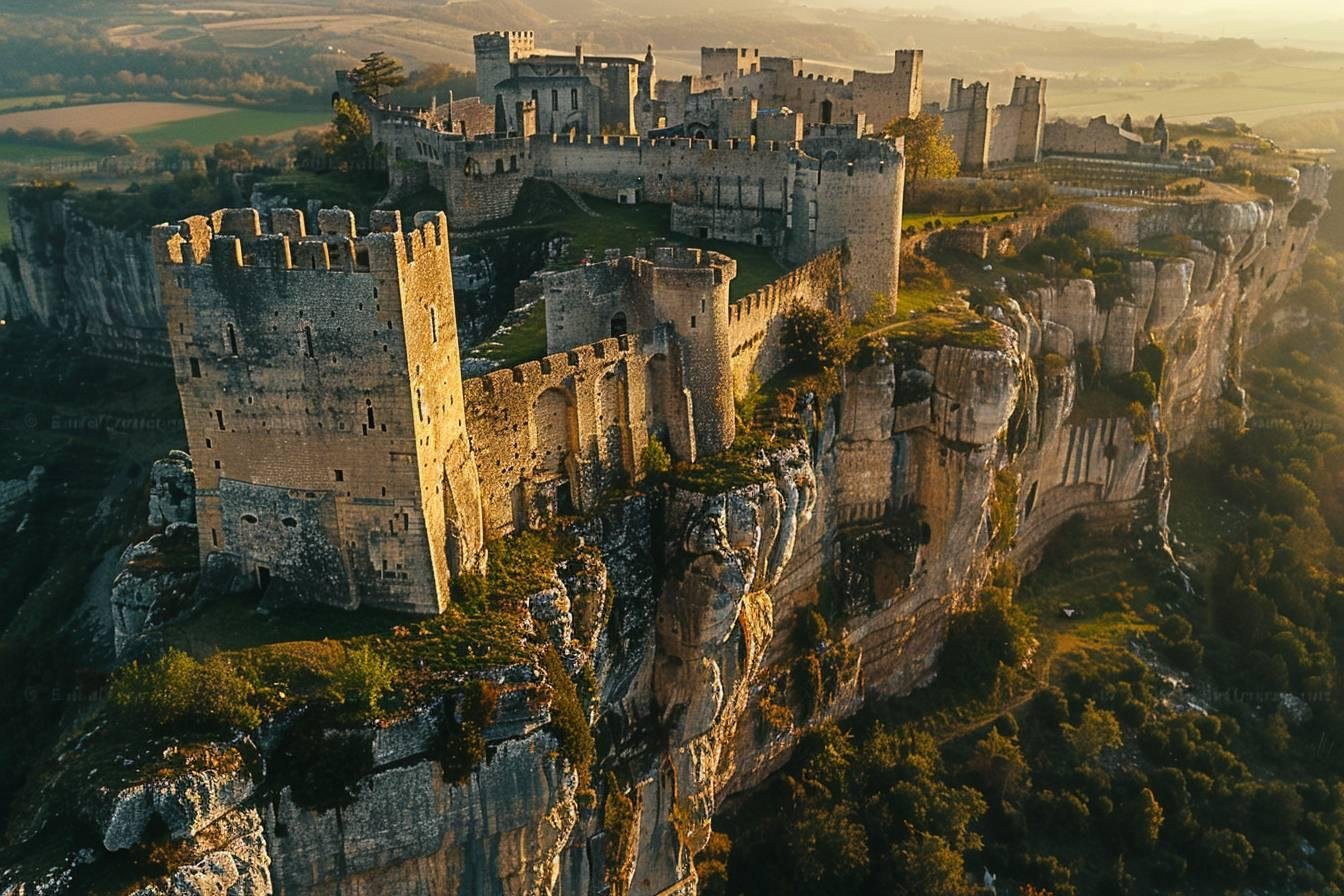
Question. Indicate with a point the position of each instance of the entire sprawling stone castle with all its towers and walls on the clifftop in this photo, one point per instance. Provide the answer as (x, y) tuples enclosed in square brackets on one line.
[(341, 456)]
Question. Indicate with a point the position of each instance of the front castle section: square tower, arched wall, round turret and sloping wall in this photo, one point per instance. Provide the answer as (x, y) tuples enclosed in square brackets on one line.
[(341, 459)]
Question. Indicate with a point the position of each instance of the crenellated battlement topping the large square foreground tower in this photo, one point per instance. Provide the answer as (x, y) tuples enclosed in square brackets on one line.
[(236, 238)]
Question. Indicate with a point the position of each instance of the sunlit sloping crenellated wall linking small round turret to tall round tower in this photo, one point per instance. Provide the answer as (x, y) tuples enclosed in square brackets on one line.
[(756, 322)]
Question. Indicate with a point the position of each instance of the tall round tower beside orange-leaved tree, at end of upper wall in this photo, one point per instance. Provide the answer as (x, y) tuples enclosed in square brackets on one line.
[(850, 193)]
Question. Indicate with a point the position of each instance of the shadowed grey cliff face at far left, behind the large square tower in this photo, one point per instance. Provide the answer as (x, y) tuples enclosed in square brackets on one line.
[(83, 279)]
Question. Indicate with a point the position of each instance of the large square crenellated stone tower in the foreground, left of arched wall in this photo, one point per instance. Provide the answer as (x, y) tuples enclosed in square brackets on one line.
[(322, 392)]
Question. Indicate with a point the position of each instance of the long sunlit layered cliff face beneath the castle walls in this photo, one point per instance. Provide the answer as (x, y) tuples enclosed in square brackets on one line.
[(890, 514)]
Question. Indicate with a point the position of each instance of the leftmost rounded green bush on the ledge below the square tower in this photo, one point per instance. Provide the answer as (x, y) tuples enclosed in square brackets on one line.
[(179, 694)]
